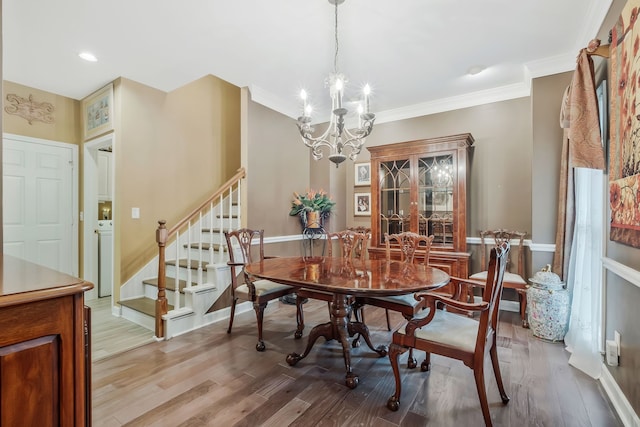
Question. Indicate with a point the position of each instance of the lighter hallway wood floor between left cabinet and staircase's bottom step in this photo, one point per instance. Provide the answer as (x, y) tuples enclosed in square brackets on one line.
[(111, 335)]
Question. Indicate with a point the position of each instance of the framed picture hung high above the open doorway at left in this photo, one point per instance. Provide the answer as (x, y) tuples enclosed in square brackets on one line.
[(97, 113)]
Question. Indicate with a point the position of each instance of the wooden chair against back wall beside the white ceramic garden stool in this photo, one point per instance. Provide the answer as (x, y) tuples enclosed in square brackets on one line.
[(516, 281)]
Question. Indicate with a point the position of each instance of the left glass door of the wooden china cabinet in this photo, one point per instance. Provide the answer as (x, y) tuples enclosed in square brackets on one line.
[(395, 197)]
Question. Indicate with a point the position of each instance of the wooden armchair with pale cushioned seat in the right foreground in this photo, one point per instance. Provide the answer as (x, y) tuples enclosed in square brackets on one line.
[(457, 336)]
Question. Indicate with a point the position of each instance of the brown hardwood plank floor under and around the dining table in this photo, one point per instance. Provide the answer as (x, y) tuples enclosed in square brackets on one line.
[(208, 377)]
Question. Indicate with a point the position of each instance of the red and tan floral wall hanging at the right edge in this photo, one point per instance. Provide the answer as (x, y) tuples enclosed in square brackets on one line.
[(624, 155)]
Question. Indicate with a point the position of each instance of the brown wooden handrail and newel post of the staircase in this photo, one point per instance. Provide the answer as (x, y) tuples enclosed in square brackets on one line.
[(162, 237)]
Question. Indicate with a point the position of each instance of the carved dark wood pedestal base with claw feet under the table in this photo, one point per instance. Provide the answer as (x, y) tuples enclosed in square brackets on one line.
[(339, 328)]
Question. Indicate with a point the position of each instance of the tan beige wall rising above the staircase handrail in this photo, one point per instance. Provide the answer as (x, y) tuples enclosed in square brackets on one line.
[(170, 156)]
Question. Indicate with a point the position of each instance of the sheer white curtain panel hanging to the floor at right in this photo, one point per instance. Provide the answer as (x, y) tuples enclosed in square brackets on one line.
[(584, 278)]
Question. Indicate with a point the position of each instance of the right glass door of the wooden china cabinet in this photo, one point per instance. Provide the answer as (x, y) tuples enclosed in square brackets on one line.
[(435, 197)]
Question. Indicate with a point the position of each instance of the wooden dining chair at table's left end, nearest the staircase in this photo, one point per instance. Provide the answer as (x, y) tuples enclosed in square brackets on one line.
[(259, 292)]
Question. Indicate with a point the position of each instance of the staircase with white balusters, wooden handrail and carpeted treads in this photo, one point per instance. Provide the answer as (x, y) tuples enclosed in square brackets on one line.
[(176, 295)]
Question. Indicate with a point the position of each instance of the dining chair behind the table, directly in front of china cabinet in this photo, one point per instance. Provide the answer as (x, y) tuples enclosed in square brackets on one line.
[(414, 249)]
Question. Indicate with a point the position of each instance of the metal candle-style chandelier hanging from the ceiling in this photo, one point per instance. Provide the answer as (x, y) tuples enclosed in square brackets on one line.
[(337, 138)]
